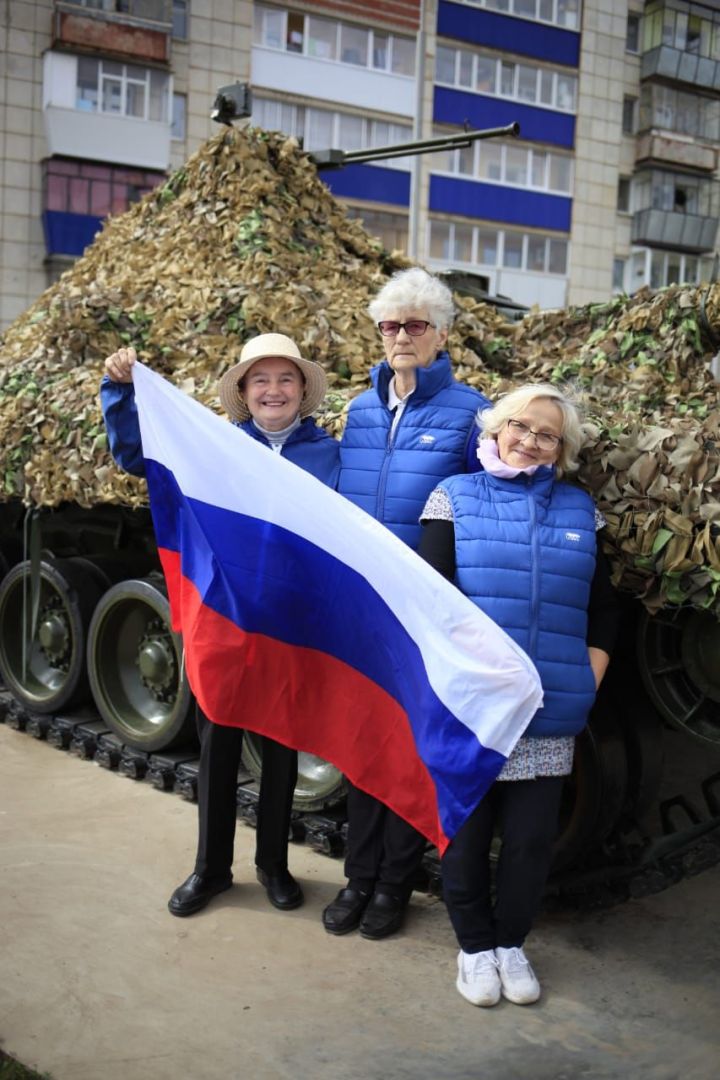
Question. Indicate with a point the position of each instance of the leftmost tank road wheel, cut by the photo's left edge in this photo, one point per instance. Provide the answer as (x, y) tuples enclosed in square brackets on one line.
[(45, 669)]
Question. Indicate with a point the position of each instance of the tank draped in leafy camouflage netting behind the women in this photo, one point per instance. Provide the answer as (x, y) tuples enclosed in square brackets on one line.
[(247, 239)]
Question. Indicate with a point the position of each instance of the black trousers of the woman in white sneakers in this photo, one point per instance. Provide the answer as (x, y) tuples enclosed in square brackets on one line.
[(527, 815)]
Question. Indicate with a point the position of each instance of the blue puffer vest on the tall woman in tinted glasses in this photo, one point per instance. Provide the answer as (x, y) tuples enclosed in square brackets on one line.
[(391, 478)]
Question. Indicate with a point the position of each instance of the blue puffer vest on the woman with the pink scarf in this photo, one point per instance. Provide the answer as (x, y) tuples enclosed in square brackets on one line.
[(525, 553)]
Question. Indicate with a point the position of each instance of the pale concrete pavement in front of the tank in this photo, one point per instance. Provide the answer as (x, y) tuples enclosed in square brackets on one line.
[(100, 982)]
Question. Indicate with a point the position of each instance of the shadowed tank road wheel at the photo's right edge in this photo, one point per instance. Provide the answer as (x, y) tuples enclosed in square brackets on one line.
[(680, 658)]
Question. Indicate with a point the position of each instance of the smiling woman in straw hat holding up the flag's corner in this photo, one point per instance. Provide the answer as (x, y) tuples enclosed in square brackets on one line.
[(271, 394)]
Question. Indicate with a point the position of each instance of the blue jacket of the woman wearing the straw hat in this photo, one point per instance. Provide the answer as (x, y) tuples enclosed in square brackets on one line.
[(308, 447)]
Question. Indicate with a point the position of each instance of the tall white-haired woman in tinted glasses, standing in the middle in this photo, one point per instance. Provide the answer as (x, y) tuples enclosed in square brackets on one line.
[(415, 427)]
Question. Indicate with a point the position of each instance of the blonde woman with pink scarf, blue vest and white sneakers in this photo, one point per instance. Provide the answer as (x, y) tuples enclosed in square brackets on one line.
[(521, 543)]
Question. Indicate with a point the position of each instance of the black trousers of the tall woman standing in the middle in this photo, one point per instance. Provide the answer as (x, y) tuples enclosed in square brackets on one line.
[(384, 852)]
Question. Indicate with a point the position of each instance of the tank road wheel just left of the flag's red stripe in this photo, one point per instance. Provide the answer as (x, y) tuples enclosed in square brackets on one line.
[(135, 668)]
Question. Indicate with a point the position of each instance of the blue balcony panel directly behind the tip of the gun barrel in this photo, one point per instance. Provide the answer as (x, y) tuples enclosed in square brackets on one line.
[(541, 126)]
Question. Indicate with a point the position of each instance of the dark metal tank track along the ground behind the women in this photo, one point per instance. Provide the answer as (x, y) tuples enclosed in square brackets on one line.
[(630, 865)]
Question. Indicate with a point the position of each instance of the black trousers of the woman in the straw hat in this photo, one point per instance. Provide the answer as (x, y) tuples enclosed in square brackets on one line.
[(218, 789)]
